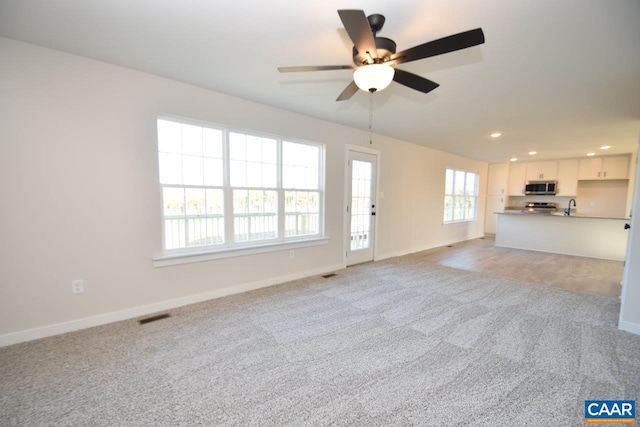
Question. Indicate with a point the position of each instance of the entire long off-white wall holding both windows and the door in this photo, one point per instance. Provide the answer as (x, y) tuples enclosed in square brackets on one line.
[(80, 197)]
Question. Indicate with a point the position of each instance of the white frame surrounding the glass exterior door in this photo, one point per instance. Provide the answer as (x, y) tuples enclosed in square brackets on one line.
[(346, 230)]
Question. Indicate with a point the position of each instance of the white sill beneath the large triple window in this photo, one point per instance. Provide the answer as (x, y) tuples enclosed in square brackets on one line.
[(191, 257)]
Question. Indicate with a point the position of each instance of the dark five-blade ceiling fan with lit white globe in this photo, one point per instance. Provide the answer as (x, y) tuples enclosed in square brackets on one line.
[(374, 56)]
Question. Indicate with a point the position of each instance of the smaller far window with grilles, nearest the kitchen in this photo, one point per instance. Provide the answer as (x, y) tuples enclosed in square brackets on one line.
[(460, 196)]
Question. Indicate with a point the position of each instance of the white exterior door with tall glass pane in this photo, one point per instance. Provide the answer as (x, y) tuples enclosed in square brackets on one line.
[(361, 207)]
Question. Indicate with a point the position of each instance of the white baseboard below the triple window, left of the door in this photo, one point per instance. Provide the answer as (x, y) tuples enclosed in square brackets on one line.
[(130, 313)]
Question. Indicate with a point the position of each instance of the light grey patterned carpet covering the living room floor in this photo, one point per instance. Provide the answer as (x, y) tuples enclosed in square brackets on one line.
[(397, 342)]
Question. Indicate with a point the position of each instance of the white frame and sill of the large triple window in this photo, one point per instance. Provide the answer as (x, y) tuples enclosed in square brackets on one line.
[(230, 247)]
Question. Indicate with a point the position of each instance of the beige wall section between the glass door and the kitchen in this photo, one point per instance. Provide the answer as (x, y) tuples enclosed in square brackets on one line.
[(411, 212)]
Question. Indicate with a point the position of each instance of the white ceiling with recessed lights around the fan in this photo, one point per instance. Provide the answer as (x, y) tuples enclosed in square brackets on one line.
[(558, 77)]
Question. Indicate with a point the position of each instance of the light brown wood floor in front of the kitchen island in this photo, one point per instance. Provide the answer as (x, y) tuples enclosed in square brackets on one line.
[(589, 275)]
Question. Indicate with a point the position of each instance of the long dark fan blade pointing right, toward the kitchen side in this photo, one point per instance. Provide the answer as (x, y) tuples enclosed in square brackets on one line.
[(438, 47)]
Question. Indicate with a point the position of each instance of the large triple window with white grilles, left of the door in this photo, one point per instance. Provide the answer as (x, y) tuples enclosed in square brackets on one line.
[(227, 189)]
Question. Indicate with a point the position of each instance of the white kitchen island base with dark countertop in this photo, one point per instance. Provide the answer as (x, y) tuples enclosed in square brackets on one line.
[(587, 236)]
